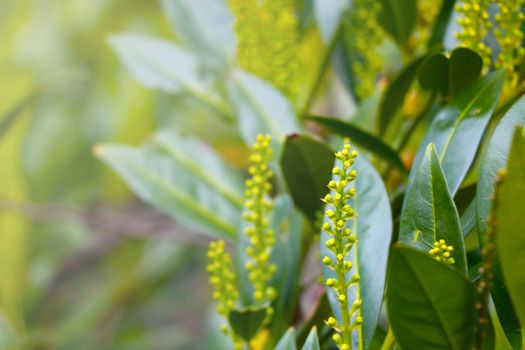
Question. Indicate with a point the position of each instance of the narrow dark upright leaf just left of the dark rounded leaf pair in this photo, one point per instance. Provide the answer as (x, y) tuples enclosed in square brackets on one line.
[(394, 96)]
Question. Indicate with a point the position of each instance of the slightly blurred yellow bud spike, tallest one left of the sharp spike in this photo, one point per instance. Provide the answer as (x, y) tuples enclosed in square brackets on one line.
[(257, 208)]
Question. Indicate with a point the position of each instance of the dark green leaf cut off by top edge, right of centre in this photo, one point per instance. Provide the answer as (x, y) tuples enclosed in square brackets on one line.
[(398, 18)]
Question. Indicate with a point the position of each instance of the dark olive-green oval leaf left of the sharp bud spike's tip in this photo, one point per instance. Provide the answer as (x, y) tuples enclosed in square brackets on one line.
[(306, 165)]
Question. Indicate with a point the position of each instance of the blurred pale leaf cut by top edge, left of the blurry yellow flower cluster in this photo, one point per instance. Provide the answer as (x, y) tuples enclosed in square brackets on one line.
[(205, 26)]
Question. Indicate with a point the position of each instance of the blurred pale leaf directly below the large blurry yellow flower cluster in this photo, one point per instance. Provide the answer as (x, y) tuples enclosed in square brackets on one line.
[(260, 108)]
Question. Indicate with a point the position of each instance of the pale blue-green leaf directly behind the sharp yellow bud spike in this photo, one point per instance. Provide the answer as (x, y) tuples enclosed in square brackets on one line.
[(373, 226)]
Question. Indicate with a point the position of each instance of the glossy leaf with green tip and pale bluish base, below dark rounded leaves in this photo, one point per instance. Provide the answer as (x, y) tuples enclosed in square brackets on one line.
[(457, 129)]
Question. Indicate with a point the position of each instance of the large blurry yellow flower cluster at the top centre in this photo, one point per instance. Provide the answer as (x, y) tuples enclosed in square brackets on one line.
[(268, 41)]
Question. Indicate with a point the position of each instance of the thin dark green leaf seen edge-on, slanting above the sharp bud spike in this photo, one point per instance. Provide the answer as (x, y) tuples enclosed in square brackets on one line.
[(362, 138)]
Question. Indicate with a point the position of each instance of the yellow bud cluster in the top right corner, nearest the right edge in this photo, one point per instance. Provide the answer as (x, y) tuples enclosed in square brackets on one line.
[(510, 36)]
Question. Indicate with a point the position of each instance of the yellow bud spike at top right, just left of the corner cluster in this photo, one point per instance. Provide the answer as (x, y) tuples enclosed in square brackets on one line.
[(476, 25)]
